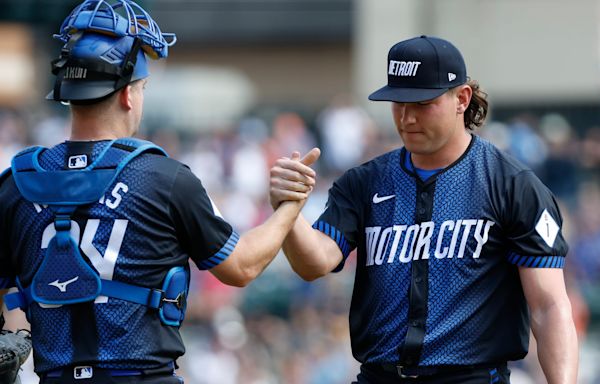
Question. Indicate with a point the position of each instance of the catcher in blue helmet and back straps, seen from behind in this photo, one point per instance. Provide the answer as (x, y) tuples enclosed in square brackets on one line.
[(97, 232)]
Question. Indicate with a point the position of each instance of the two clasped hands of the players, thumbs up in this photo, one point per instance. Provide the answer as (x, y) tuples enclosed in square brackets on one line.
[(292, 179)]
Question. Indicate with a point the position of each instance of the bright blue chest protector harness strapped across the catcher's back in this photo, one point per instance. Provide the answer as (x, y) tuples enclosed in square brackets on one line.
[(63, 265)]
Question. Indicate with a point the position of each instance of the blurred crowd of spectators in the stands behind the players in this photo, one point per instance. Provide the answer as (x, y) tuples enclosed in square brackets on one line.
[(281, 329)]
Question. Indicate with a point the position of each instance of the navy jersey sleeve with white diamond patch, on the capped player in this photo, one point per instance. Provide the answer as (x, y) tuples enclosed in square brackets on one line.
[(535, 224)]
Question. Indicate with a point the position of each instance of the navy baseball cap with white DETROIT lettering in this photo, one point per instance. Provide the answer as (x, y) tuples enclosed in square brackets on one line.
[(421, 68)]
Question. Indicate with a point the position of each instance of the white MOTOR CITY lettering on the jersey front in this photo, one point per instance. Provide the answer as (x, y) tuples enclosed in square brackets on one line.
[(416, 241)]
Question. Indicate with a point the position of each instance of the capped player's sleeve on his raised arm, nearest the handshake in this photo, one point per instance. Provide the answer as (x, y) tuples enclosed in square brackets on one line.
[(343, 212)]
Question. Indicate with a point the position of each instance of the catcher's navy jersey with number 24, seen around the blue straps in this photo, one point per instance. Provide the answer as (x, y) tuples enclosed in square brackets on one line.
[(155, 216)]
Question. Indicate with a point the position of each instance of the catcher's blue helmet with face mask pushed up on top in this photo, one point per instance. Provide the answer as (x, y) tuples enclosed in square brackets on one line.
[(106, 43)]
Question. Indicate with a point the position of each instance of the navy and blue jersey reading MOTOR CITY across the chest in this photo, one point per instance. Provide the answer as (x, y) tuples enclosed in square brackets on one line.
[(437, 278)]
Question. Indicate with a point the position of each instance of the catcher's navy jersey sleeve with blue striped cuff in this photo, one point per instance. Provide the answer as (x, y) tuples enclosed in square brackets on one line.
[(203, 233)]
